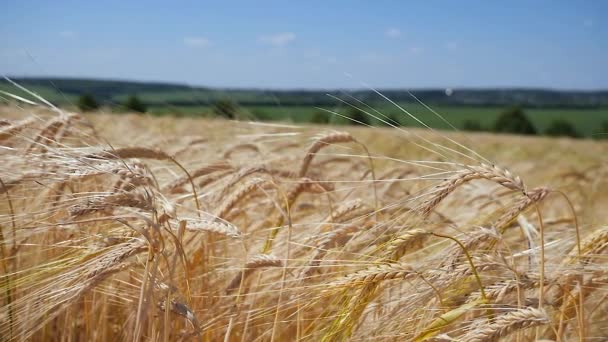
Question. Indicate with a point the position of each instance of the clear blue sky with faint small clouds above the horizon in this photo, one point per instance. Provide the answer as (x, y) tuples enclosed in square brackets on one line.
[(312, 44)]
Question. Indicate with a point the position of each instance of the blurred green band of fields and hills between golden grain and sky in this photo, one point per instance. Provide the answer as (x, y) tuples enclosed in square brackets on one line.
[(587, 117)]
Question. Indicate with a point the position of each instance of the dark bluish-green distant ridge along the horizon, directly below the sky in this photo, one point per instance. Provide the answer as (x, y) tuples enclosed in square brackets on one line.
[(65, 90)]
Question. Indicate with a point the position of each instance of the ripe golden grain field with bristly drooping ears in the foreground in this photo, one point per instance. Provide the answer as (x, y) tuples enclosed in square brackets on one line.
[(127, 227)]
